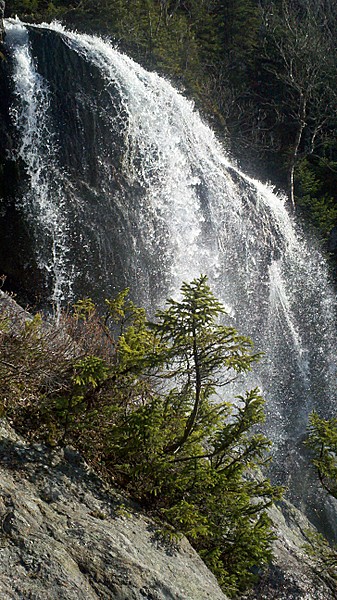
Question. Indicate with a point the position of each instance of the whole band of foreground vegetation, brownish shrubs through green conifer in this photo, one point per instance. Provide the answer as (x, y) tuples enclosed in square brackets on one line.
[(148, 413)]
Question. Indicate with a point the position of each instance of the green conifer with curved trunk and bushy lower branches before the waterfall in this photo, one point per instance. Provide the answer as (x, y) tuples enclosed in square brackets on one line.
[(186, 452)]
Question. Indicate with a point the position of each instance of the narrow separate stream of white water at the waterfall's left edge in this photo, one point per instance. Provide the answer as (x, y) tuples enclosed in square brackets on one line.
[(41, 202)]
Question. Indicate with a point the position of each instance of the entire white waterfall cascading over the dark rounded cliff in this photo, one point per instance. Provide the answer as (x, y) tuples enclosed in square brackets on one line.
[(125, 185)]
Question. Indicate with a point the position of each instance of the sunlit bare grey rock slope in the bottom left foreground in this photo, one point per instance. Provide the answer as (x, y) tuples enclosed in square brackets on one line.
[(65, 537)]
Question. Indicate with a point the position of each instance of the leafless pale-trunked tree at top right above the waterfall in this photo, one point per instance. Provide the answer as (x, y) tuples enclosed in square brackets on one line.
[(301, 36)]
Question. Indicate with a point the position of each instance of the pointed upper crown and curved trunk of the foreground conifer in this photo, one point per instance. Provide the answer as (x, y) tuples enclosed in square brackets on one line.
[(205, 353)]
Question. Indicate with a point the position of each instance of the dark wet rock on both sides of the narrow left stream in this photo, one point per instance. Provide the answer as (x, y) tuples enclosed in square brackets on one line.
[(81, 147)]
